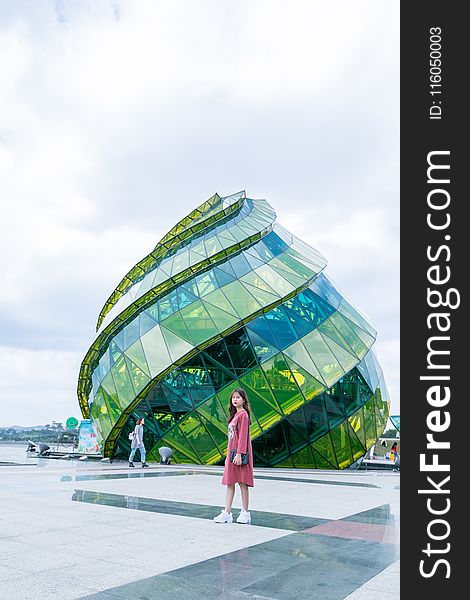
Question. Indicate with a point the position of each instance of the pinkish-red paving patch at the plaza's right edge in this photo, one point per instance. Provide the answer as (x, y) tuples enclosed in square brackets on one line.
[(385, 534)]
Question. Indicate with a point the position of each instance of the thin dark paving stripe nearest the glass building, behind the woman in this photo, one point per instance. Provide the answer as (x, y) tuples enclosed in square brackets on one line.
[(134, 475)]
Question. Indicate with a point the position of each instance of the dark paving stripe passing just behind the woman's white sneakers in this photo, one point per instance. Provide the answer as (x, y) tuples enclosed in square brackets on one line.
[(199, 511)]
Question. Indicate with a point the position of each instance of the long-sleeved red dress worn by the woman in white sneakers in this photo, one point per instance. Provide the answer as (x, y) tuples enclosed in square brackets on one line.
[(239, 439)]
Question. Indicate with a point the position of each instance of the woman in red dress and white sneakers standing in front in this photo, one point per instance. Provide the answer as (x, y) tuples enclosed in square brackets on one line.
[(236, 472)]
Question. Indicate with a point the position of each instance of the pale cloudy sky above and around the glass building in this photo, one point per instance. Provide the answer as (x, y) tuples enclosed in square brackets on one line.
[(118, 117)]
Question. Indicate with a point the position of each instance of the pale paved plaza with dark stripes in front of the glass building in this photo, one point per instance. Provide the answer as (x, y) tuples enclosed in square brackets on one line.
[(71, 529)]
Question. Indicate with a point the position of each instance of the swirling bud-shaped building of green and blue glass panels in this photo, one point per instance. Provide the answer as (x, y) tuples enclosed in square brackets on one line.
[(229, 298)]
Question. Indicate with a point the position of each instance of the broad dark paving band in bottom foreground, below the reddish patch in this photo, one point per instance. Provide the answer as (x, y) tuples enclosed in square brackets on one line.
[(294, 567)]
